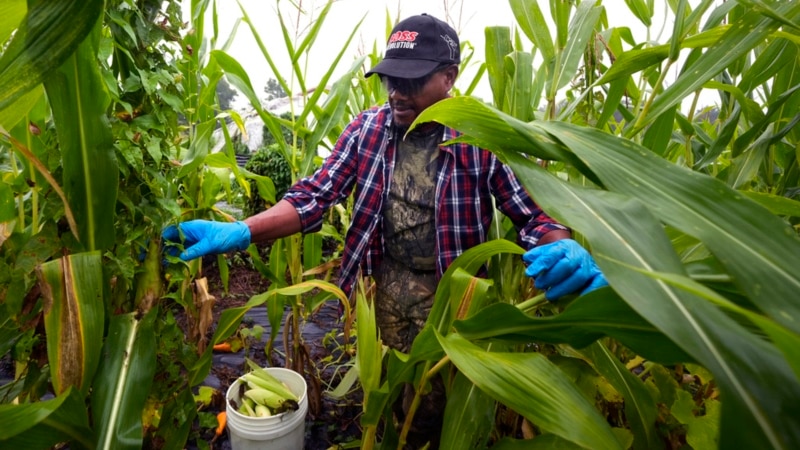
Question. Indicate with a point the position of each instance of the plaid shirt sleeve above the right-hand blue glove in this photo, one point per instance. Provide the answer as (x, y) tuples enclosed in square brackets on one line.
[(531, 222)]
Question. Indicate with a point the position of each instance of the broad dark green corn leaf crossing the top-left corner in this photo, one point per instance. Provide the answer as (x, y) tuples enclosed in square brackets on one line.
[(42, 43)]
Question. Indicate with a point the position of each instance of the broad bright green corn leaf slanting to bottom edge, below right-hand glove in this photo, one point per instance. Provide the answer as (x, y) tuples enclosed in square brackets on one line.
[(531, 385)]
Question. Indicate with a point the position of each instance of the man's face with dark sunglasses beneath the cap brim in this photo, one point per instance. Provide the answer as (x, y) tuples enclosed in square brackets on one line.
[(409, 97)]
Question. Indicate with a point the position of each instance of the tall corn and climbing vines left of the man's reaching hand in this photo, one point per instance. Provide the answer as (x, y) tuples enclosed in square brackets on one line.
[(87, 188)]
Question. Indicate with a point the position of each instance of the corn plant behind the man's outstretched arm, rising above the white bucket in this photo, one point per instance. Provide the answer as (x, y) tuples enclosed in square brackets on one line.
[(314, 121)]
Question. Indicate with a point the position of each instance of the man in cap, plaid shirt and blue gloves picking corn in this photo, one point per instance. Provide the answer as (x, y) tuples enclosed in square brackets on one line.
[(418, 205)]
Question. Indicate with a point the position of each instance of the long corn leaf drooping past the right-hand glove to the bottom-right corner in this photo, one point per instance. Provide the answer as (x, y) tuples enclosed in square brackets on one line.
[(740, 361)]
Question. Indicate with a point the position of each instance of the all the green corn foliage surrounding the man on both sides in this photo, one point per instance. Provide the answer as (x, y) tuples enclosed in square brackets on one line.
[(690, 211)]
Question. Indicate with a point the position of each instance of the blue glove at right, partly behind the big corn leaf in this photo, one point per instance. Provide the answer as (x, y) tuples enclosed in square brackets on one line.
[(563, 267)]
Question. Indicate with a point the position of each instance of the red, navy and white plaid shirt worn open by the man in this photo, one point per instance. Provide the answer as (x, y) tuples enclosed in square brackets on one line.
[(363, 159)]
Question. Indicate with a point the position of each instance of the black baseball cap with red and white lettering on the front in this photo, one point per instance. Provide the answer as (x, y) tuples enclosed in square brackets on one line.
[(417, 46)]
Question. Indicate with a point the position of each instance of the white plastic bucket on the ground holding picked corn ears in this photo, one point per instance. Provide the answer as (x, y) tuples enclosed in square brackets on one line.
[(283, 431)]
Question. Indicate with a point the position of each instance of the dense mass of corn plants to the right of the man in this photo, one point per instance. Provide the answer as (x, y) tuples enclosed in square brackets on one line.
[(691, 219)]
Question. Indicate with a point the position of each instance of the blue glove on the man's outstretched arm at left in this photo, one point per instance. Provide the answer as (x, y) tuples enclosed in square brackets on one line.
[(204, 237)]
